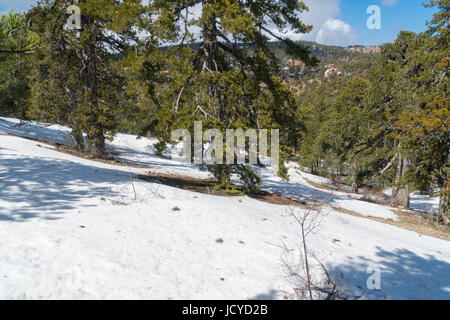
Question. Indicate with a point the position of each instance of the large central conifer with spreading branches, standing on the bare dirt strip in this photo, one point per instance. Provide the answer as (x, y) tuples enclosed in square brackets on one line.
[(229, 79)]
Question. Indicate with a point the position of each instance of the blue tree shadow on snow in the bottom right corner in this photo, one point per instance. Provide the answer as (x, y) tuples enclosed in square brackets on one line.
[(404, 276)]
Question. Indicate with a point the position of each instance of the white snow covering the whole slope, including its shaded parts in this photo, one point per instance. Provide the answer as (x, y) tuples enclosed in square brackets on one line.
[(71, 228)]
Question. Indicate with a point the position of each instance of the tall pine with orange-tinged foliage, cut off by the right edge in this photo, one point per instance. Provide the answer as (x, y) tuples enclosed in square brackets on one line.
[(425, 124)]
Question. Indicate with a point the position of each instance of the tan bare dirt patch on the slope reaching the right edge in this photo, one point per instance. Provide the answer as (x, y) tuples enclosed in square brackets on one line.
[(409, 221)]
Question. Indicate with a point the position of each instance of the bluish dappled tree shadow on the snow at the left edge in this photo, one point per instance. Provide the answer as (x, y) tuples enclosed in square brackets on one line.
[(39, 187)]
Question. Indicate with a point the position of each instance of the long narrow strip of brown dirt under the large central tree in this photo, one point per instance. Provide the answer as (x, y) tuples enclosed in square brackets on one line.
[(206, 186)]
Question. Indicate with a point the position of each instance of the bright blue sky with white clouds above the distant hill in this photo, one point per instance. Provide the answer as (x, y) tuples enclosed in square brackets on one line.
[(338, 22)]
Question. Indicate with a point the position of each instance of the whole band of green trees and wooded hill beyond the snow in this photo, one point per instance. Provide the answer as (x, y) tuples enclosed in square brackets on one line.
[(373, 117)]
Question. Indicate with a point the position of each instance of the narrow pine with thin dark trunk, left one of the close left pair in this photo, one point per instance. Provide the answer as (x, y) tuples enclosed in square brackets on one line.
[(56, 89)]
